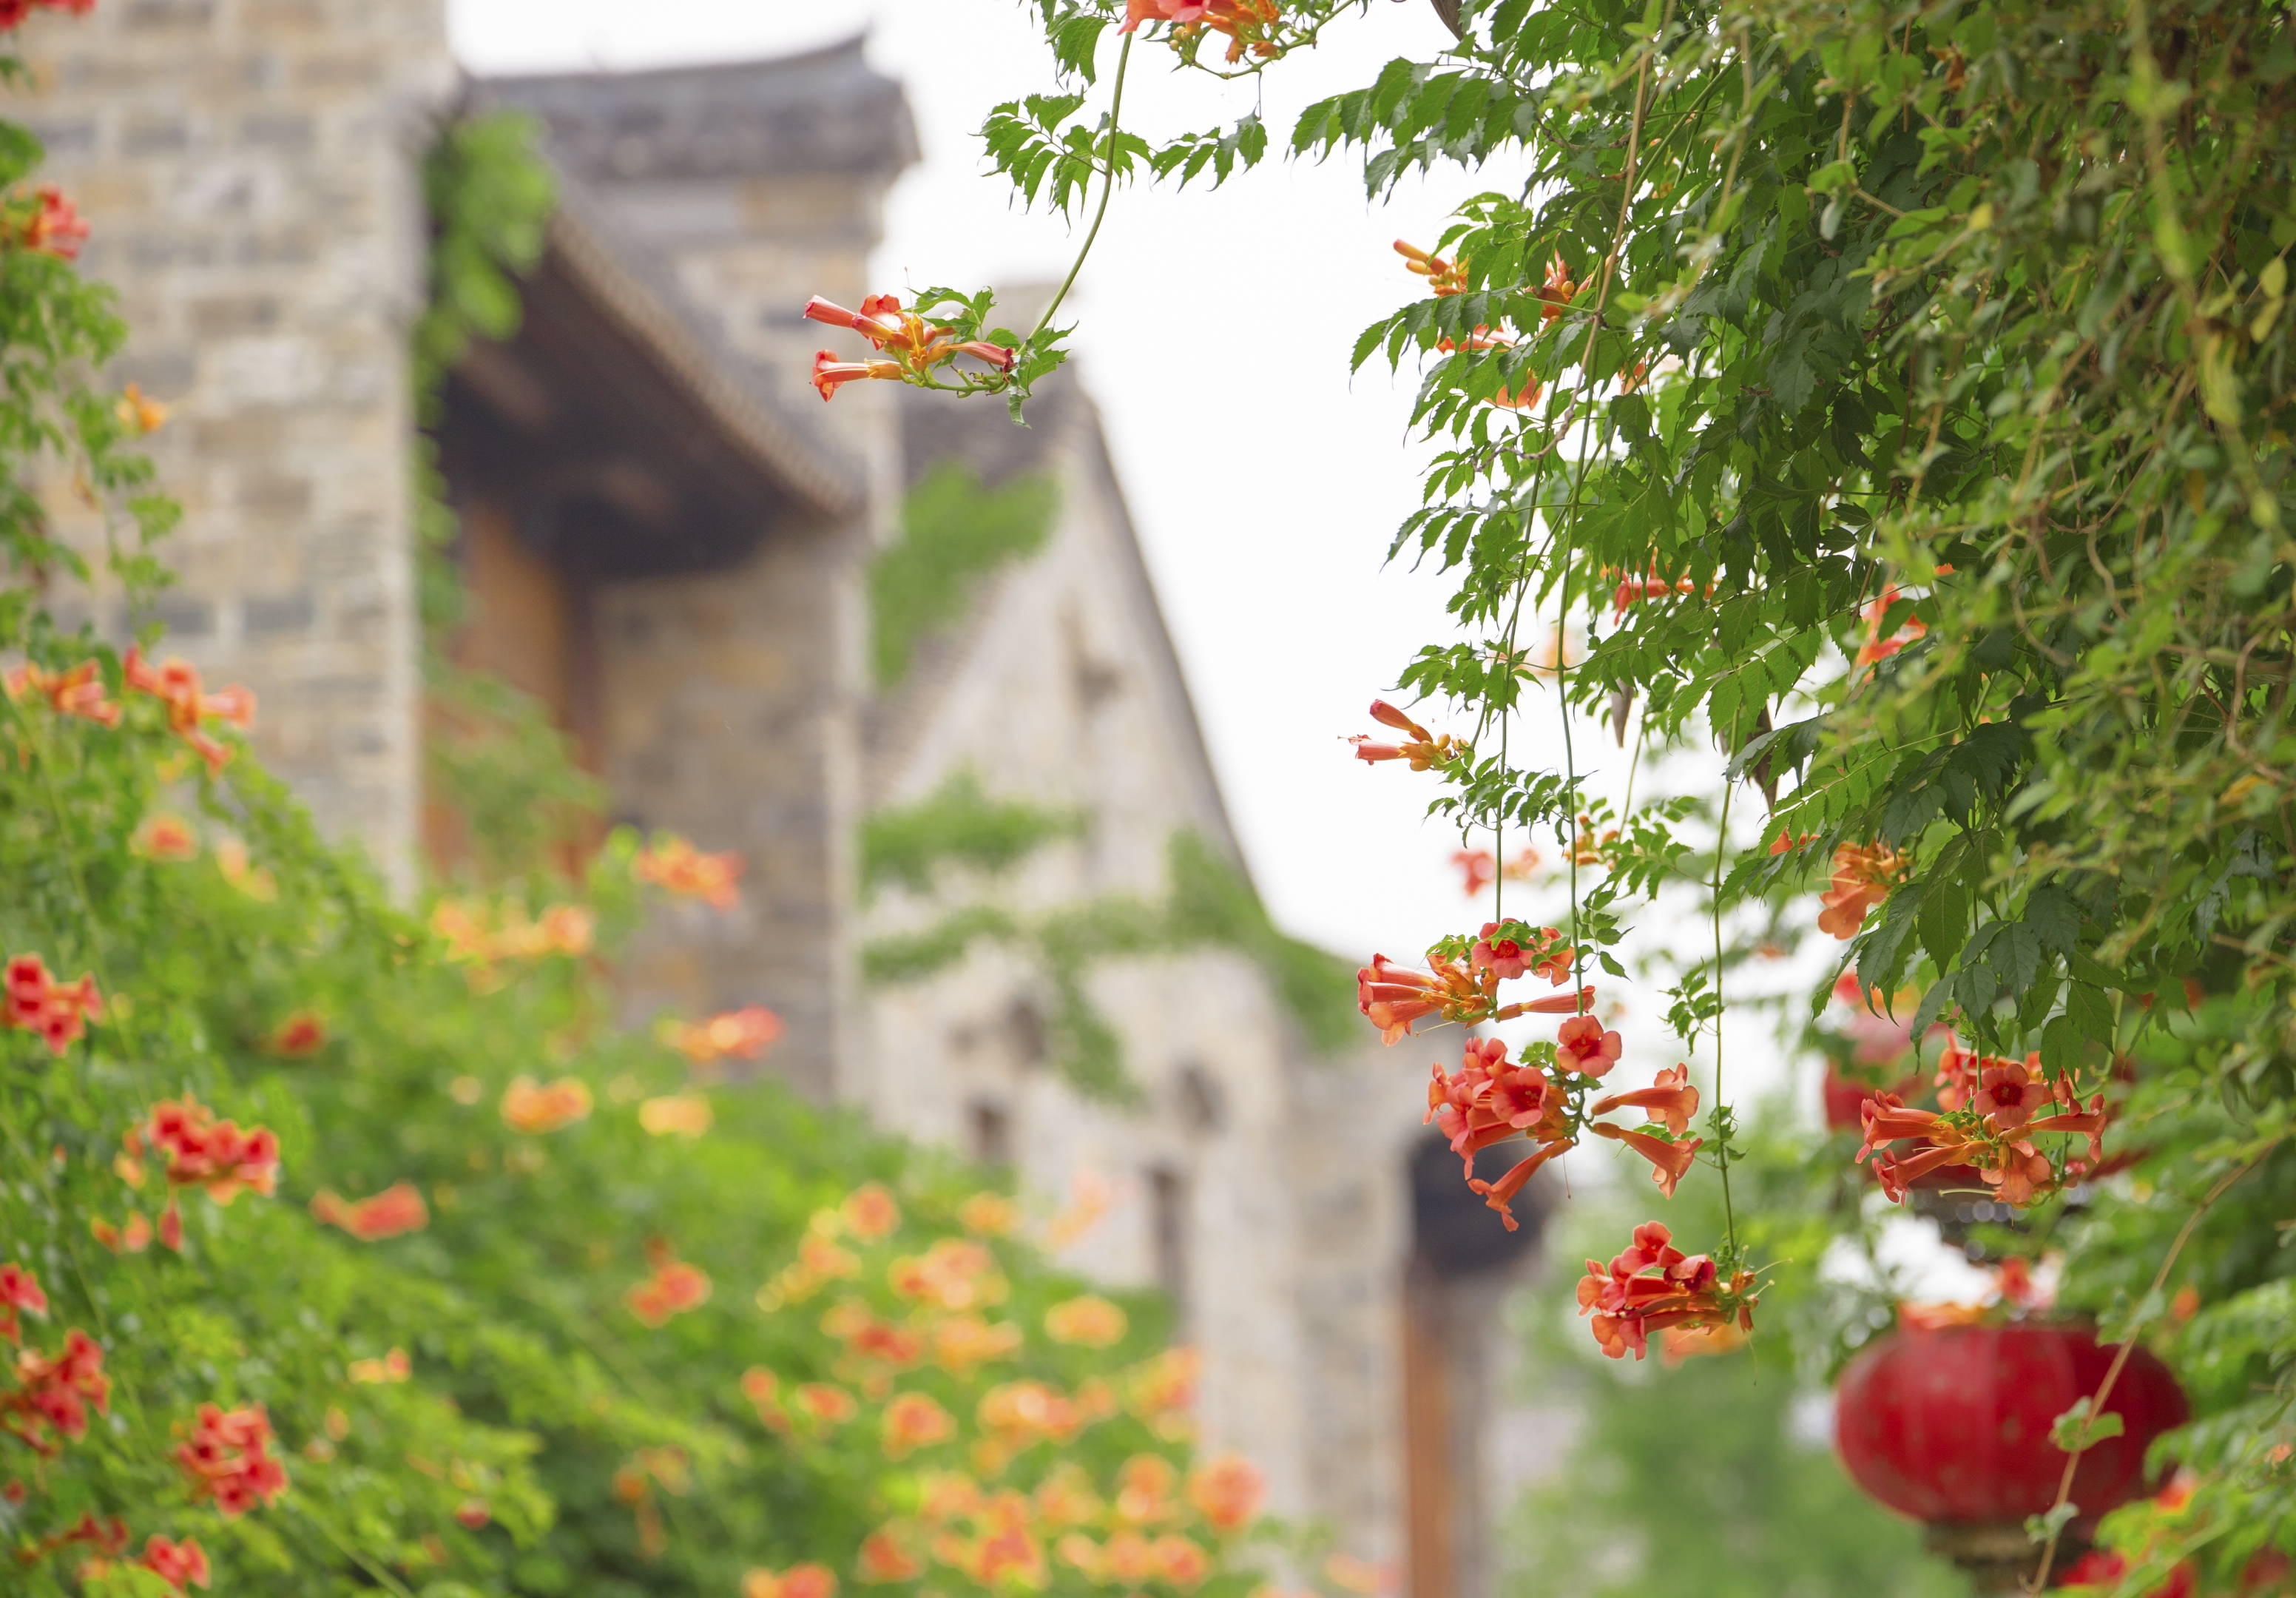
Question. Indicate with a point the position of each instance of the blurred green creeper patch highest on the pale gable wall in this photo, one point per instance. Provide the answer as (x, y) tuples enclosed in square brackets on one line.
[(956, 534)]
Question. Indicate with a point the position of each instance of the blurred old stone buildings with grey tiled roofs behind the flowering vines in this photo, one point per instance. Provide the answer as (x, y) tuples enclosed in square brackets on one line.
[(667, 541)]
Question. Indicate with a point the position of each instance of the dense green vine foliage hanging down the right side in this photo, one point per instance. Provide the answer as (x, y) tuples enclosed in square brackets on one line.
[(1898, 398)]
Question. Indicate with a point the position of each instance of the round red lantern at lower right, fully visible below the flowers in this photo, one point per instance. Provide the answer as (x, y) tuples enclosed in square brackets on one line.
[(1953, 1429)]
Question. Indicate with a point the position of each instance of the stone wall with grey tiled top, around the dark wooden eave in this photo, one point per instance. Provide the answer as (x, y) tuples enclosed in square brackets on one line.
[(731, 701)]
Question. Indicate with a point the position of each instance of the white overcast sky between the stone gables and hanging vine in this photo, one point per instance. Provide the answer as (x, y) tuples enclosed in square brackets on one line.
[(1213, 332)]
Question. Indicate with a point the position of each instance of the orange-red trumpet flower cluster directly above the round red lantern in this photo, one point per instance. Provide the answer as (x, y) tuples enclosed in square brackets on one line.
[(1987, 1126)]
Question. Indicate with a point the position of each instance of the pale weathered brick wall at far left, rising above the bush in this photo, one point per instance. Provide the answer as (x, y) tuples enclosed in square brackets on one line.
[(251, 178)]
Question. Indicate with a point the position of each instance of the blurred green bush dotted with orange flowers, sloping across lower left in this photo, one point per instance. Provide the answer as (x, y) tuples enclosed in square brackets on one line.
[(492, 1397)]
